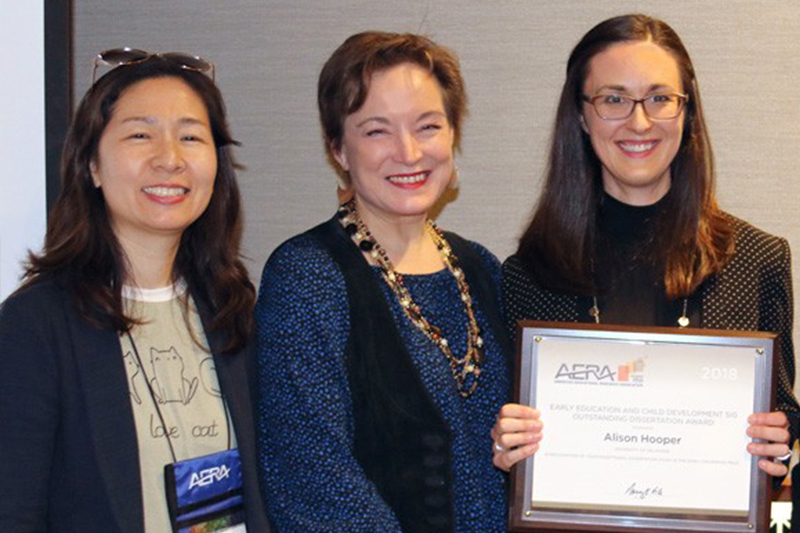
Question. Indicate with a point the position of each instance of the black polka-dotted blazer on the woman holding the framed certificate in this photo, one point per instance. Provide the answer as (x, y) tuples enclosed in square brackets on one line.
[(753, 292)]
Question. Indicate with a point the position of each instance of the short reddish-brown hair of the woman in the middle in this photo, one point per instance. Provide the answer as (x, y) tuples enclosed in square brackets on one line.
[(345, 78)]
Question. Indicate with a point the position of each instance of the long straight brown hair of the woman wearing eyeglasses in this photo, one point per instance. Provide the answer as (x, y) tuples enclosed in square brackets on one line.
[(693, 239)]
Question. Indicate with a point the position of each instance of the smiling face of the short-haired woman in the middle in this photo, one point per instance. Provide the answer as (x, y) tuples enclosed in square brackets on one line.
[(398, 147)]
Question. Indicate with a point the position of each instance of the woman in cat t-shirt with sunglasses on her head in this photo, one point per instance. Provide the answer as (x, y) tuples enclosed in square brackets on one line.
[(125, 357)]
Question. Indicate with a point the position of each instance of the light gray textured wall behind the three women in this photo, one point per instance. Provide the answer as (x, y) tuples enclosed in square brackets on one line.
[(513, 55)]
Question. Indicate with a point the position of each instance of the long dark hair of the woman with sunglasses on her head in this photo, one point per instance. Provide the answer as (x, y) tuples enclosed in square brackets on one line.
[(81, 248)]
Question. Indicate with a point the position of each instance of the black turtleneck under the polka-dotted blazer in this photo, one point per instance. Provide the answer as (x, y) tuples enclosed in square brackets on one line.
[(629, 280)]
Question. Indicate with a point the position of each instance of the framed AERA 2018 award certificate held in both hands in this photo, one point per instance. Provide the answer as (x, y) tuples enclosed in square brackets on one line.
[(644, 429)]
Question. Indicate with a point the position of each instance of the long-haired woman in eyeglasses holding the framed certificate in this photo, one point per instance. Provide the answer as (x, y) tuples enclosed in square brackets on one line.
[(628, 231)]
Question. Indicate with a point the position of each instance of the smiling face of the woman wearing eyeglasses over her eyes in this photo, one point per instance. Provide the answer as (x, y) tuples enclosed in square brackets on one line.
[(636, 152)]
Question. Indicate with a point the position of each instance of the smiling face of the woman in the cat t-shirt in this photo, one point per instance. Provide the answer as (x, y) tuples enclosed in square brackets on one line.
[(156, 161)]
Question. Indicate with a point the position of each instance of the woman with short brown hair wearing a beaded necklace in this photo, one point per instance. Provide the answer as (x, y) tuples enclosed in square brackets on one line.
[(382, 352)]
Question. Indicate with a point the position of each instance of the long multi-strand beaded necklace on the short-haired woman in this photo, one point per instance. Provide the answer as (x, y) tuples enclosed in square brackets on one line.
[(466, 370)]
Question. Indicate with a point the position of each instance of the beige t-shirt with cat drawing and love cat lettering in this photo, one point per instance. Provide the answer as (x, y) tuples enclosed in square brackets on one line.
[(183, 387)]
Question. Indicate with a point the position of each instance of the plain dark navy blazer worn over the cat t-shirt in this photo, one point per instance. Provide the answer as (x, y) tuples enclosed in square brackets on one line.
[(68, 450)]
